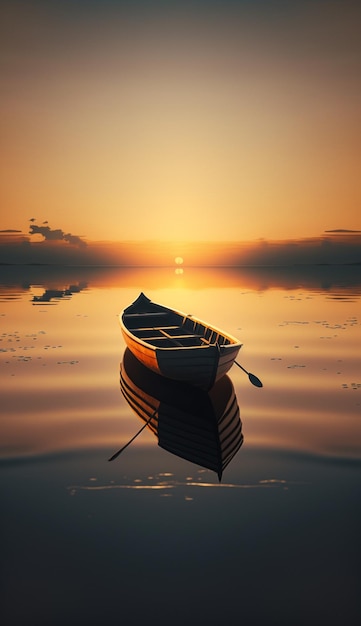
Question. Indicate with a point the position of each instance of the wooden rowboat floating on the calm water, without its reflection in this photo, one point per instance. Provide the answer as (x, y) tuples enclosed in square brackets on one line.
[(176, 345)]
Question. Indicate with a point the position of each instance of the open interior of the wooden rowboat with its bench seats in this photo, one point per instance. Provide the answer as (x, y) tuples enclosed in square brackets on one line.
[(168, 329)]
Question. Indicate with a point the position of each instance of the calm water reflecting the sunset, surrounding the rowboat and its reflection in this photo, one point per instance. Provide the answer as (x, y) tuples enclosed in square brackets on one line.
[(151, 536)]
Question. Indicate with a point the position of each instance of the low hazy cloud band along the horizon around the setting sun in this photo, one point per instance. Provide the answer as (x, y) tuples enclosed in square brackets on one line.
[(335, 249)]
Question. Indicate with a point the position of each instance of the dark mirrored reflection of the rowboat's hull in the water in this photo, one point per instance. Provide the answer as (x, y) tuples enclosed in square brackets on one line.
[(202, 427)]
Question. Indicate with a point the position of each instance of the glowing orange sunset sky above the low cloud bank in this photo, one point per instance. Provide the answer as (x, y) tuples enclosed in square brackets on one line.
[(204, 120)]
